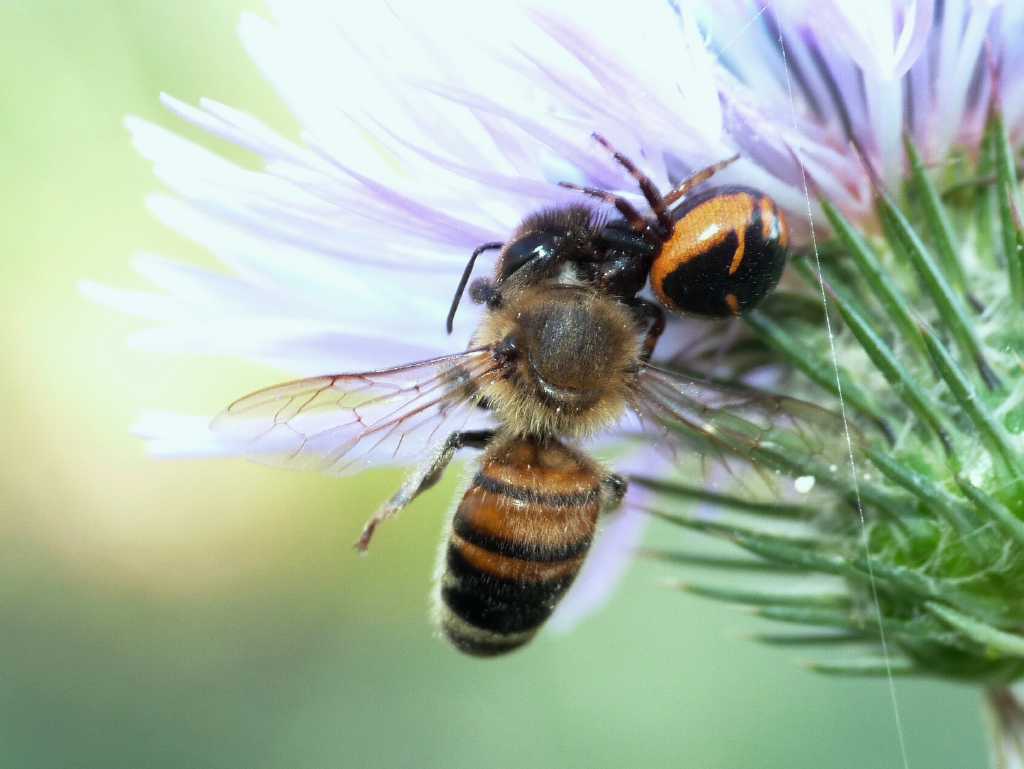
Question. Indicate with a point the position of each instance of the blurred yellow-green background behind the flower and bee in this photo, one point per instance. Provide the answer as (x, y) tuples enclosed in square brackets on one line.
[(214, 615)]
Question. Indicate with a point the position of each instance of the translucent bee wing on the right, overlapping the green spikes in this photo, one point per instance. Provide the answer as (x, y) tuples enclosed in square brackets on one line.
[(766, 431)]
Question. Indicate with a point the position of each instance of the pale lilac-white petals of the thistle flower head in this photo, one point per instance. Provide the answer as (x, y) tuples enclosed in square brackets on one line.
[(425, 131)]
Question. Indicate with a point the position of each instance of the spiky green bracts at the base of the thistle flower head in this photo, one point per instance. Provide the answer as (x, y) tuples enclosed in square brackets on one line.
[(915, 529)]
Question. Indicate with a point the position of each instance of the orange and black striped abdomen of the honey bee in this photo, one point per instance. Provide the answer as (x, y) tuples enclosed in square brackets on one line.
[(519, 540)]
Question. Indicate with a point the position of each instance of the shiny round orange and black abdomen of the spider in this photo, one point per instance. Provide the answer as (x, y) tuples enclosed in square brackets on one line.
[(727, 253)]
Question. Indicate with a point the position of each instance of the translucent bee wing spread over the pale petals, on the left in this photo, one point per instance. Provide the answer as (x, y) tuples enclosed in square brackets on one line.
[(344, 423)]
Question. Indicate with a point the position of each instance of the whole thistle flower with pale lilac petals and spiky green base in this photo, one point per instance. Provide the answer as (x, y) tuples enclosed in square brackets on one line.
[(890, 134)]
